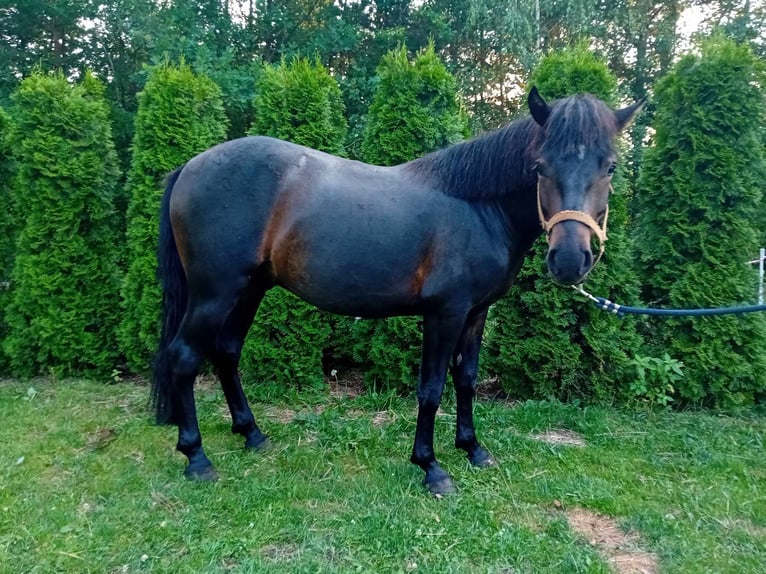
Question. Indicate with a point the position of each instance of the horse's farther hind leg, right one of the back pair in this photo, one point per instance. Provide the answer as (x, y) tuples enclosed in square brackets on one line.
[(226, 361)]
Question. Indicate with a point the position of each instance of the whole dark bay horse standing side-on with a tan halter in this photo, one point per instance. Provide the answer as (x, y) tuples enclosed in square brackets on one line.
[(442, 236)]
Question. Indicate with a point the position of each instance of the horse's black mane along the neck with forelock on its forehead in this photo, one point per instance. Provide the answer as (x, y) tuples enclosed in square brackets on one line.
[(499, 163)]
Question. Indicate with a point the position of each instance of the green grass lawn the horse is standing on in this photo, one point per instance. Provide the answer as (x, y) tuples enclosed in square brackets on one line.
[(89, 484)]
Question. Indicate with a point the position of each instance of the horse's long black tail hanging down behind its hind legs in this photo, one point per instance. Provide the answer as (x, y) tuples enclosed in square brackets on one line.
[(174, 300)]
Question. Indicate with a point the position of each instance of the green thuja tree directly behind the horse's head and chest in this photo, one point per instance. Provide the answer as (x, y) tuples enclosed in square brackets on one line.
[(542, 339)]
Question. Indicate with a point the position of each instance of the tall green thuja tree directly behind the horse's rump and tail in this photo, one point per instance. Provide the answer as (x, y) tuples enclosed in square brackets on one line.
[(179, 115)]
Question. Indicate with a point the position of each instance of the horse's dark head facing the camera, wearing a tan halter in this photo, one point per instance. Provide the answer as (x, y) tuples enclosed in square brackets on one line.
[(574, 164)]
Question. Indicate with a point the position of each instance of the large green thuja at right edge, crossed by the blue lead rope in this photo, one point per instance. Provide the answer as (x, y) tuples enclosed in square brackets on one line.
[(699, 207)]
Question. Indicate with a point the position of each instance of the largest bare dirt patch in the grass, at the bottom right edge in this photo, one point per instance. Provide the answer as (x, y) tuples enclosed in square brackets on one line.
[(621, 550)]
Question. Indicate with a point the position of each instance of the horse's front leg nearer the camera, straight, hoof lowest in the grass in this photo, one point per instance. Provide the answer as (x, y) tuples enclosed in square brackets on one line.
[(440, 333)]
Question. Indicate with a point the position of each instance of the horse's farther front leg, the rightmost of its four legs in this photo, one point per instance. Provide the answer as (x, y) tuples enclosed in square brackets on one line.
[(465, 368)]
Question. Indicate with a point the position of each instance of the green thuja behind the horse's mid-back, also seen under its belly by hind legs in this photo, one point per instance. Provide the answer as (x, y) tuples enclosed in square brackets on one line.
[(300, 102)]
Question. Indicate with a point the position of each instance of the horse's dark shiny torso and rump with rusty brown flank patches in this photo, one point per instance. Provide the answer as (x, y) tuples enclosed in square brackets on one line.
[(345, 236)]
